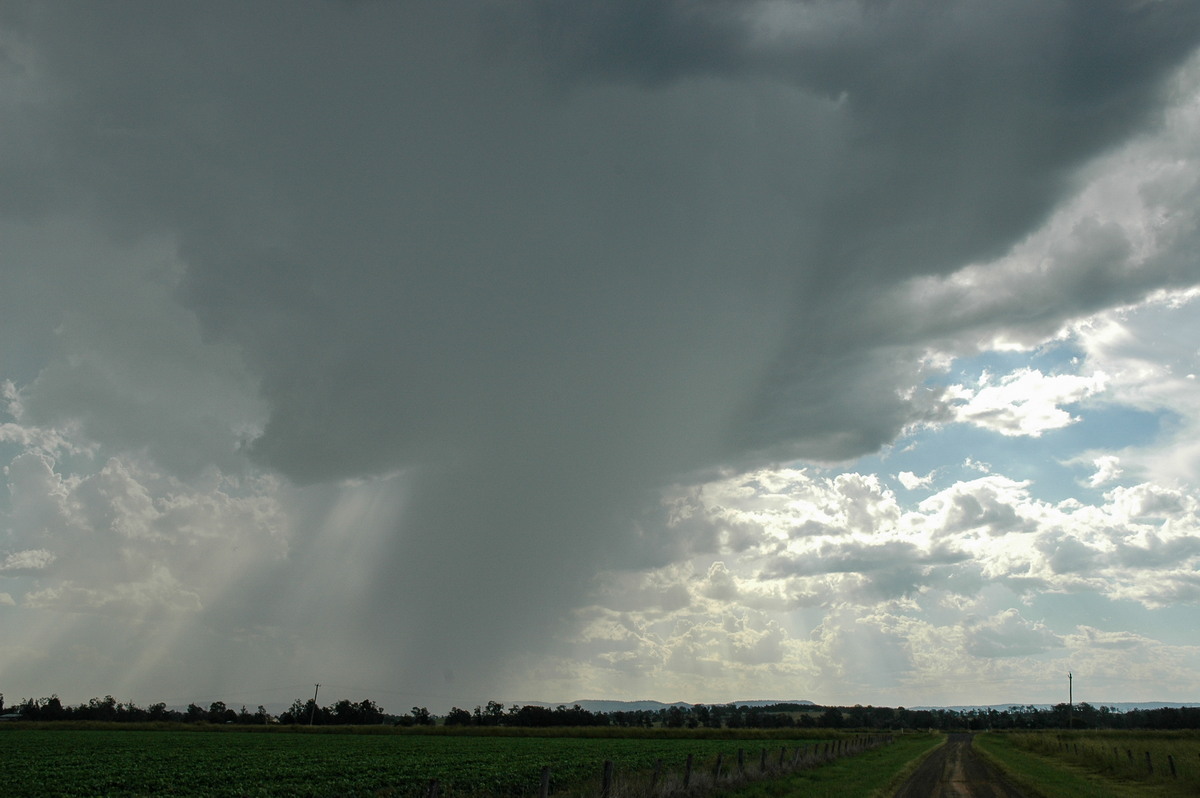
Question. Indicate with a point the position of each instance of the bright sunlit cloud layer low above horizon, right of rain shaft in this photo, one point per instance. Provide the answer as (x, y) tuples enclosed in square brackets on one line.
[(830, 583)]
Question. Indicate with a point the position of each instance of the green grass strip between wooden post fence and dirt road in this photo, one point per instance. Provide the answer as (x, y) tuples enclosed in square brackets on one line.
[(867, 776)]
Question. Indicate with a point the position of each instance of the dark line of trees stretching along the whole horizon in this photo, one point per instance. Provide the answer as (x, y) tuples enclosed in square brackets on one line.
[(781, 716)]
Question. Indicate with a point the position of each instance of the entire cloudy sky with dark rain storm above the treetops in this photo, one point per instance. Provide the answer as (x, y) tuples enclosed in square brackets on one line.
[(841, 351)]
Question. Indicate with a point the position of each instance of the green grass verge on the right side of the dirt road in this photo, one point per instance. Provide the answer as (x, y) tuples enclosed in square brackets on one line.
[(1042, 776)]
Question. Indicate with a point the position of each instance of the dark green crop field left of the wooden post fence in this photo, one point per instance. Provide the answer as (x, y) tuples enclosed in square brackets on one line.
[(117, 763)]
